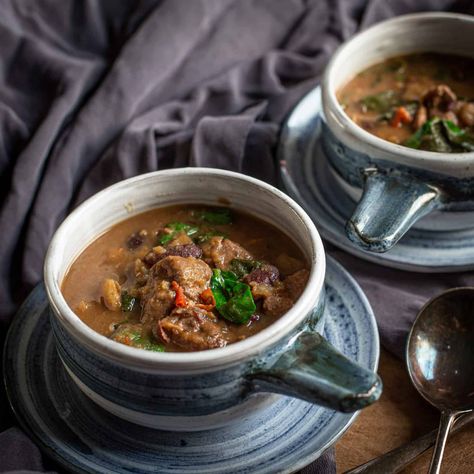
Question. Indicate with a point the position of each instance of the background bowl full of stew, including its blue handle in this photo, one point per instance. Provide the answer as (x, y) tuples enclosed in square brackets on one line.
[(396, 135)]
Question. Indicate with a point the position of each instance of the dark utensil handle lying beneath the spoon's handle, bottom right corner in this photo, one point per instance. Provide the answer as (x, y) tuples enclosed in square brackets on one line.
[(400, 457)]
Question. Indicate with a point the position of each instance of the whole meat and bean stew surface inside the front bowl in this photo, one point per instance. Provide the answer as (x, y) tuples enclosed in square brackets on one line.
[(185, 278)]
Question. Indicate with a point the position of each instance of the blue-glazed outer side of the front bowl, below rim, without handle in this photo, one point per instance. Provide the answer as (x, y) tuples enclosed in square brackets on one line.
[(181, 402)]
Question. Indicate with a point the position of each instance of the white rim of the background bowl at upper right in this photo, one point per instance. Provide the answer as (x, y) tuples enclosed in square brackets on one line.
[(344, 122)]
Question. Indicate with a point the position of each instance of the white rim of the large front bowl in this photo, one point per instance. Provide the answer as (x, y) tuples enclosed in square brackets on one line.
[(201, 361)]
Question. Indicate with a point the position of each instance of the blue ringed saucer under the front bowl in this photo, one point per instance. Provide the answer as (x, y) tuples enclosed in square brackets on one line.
[(82, 437)]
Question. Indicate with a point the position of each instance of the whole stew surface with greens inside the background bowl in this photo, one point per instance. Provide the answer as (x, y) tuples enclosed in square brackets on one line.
[(423, 101)]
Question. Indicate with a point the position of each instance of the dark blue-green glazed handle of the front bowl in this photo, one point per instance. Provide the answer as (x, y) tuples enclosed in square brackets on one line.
[(313, 370)]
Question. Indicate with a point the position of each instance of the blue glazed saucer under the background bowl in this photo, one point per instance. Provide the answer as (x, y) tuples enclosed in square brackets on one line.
[(307, 177)]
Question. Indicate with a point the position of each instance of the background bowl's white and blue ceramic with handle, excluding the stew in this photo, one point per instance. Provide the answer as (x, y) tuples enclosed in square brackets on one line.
[(424, 181)]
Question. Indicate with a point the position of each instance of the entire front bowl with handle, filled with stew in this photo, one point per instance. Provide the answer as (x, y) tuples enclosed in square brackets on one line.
[(186, 387)]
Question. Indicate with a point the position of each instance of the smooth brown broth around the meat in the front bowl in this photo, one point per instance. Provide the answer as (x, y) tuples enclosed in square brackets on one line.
[(109, 257)]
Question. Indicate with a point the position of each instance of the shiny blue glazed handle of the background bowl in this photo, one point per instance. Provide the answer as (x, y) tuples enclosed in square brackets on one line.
[(389, 206)]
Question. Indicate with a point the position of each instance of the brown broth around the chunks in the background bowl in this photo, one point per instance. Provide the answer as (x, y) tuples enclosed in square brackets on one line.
[(409, 77)]
